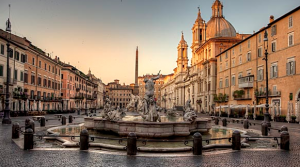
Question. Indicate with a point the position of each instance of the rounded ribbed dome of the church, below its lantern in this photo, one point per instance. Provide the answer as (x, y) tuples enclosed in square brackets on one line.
[(219, 27)]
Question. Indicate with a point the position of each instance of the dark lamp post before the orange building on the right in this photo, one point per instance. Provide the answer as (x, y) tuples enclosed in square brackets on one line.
[(266, 115)]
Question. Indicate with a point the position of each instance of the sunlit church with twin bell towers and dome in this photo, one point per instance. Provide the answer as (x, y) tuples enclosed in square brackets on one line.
[(197, 82)]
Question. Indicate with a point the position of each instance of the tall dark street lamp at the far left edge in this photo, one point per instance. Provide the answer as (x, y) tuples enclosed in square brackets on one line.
[(6, 119)]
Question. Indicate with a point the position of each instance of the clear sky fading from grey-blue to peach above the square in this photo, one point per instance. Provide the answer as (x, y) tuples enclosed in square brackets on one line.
[(102, 35)]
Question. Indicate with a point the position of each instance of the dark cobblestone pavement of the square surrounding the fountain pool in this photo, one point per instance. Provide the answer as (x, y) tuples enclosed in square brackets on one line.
[(11, 155)]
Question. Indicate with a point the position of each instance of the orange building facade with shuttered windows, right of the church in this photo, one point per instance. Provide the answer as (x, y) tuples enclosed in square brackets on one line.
[(242, 68)]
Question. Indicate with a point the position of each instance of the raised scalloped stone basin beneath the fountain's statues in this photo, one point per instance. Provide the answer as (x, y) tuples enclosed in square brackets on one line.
[(167, 128)]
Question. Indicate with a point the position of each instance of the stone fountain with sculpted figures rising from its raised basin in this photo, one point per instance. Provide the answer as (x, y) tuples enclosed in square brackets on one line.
[(150, 123)]
